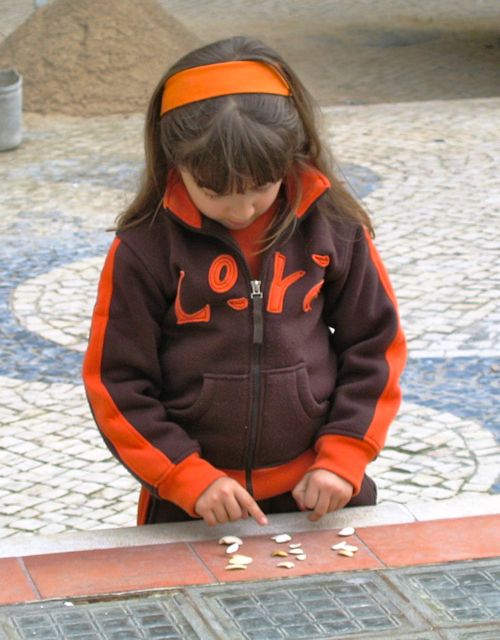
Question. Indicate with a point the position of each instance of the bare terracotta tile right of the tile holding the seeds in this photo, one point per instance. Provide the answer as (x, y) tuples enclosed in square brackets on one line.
[(434, 541)]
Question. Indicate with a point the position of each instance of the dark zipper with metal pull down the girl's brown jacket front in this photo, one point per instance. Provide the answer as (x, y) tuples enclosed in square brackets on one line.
[(255, 374)]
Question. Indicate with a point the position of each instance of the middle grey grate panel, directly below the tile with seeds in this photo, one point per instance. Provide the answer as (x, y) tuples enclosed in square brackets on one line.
[(311, 608)]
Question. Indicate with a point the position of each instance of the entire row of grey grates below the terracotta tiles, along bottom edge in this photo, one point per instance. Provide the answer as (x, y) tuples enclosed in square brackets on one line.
[(459, 601)]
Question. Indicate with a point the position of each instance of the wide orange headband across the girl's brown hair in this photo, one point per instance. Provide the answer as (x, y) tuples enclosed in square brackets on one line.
[(221, 79)]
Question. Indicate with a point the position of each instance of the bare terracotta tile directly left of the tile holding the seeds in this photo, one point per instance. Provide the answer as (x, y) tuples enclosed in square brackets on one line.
[(104, 571)]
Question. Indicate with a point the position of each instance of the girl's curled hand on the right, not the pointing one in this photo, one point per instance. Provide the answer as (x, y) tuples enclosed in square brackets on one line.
[(321, 491)]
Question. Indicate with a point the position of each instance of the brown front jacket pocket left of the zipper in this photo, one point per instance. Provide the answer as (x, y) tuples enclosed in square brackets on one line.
[(218, 419)]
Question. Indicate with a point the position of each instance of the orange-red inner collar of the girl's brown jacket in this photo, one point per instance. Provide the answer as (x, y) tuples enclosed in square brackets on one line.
[(177, 200)]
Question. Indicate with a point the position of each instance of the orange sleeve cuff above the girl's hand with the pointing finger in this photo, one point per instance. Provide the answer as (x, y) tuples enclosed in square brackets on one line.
[(185, 483)]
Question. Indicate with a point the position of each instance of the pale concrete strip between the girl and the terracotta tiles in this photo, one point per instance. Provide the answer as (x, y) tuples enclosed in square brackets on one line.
[(385, 513)]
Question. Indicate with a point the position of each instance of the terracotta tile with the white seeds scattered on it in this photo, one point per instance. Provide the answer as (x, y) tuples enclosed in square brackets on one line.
[(316, 545)]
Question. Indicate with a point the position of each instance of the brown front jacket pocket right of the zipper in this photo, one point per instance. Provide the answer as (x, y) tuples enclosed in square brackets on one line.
[(290, 416)]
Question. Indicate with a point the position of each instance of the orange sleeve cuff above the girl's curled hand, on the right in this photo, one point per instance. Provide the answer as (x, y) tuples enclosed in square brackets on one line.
[(347, 457)]
